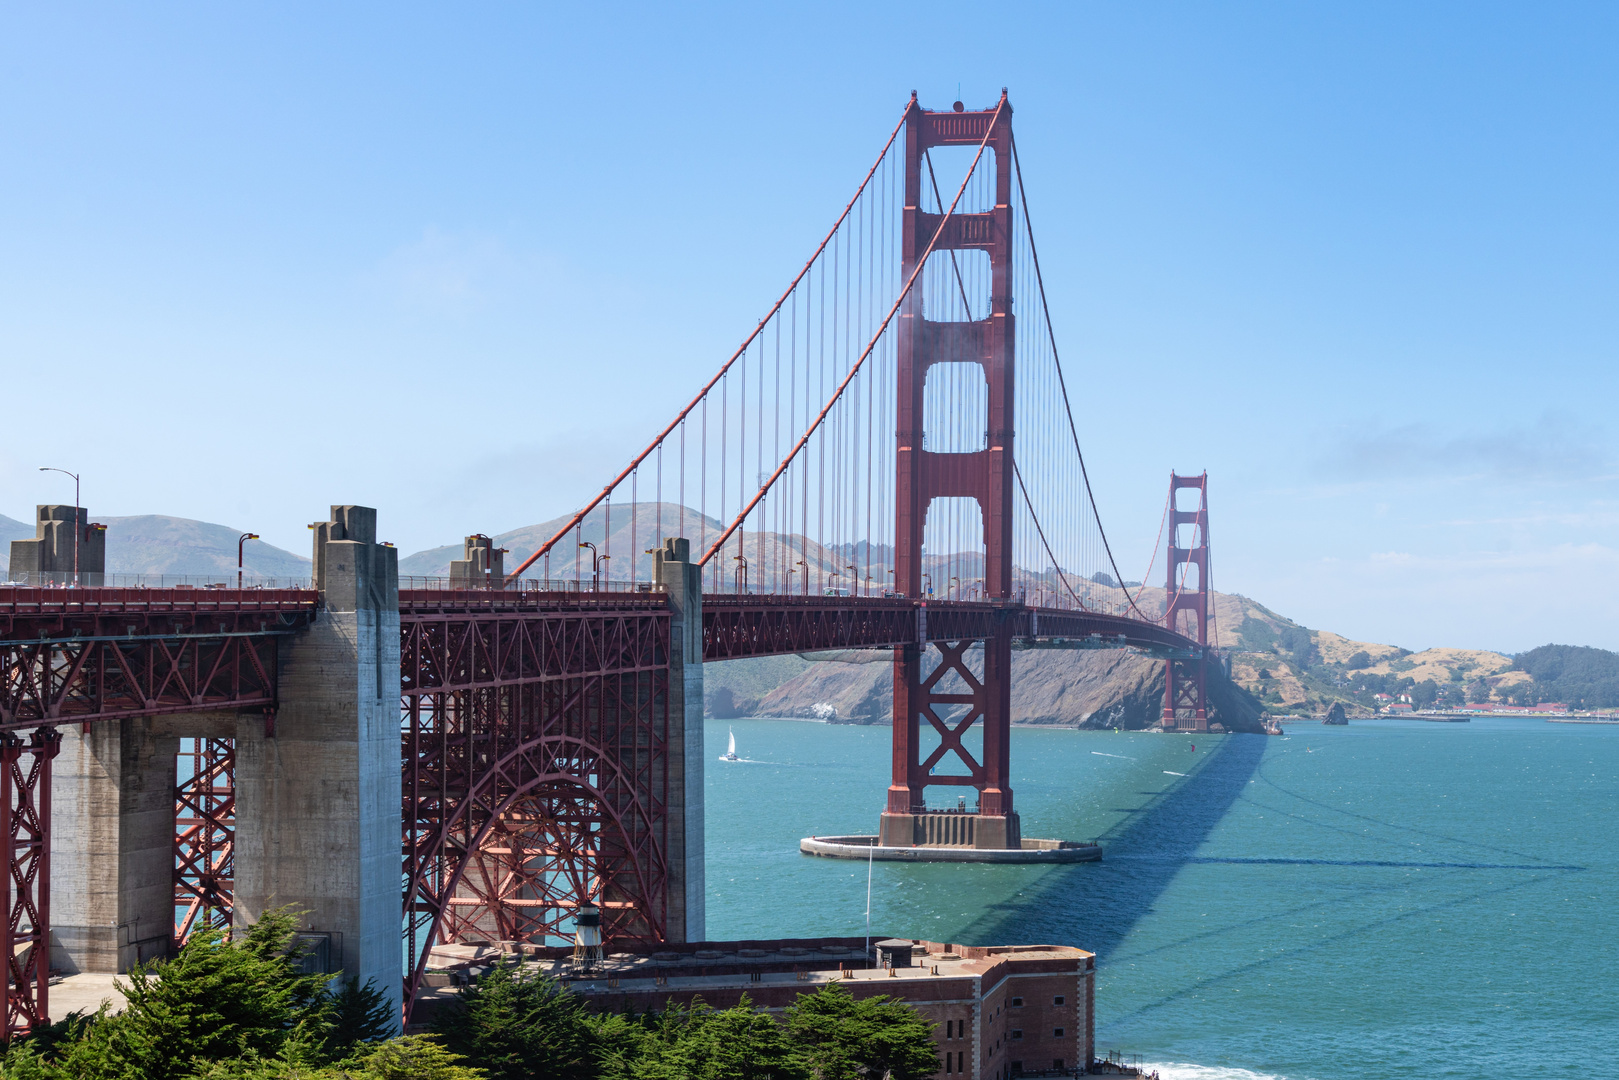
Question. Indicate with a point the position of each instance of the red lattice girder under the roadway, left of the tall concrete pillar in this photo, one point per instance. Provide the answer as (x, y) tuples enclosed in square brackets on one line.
[(104, 681)]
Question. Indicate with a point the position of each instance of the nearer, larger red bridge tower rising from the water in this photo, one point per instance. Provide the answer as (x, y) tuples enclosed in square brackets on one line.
[(982, 475)]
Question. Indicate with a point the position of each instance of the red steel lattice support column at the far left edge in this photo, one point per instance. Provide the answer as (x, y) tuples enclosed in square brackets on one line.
[(25, 827)]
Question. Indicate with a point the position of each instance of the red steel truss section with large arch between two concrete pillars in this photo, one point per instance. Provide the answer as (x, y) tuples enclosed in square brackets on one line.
[(537, 770)]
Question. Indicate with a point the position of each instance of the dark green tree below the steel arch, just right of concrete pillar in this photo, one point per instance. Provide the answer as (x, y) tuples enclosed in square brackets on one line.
[(519, 1026)]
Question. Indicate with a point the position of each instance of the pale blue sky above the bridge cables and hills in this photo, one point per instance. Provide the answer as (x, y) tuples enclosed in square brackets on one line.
[(1356, 260)]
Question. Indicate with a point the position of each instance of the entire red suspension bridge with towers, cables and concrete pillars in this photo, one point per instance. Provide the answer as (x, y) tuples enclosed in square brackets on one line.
[(890, 461)]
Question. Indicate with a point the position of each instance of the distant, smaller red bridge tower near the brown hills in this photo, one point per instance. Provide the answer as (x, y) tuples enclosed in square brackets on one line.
[(1188, 592)]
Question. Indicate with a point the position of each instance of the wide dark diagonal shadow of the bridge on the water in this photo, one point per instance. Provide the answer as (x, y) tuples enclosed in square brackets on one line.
[(1095, 906)]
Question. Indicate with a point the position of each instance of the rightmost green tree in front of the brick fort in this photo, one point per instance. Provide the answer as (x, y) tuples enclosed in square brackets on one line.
[(843, 1039)]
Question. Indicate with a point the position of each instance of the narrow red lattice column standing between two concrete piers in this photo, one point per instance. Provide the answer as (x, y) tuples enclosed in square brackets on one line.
[(205, 835)]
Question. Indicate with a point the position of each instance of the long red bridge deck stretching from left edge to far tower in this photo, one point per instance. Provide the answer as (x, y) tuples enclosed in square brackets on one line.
[(114, 653)]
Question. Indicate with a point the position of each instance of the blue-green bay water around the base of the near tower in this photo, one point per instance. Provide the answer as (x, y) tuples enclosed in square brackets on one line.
[(1390, 899)]
